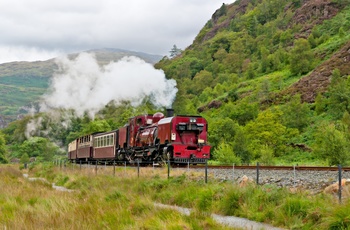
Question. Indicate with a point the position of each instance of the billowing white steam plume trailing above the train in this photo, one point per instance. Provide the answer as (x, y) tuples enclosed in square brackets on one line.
[(84, 86)]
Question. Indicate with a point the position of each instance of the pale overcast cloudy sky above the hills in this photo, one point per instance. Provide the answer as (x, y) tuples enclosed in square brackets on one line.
[(40, 29)]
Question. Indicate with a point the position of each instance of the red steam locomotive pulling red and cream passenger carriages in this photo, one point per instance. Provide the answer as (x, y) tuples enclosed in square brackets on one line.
[(147, 138)]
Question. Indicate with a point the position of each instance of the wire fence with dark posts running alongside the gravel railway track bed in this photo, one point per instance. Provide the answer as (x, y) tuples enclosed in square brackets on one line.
[(295, 178)]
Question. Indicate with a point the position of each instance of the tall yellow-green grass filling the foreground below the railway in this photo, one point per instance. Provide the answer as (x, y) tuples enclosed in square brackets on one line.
[(104, 200)]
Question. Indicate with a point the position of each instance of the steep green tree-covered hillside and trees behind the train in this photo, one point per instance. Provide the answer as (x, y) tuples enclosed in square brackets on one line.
[(271, 77)]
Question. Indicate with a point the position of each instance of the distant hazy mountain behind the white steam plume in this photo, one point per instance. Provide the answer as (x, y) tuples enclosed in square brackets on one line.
[(22, 83)]
